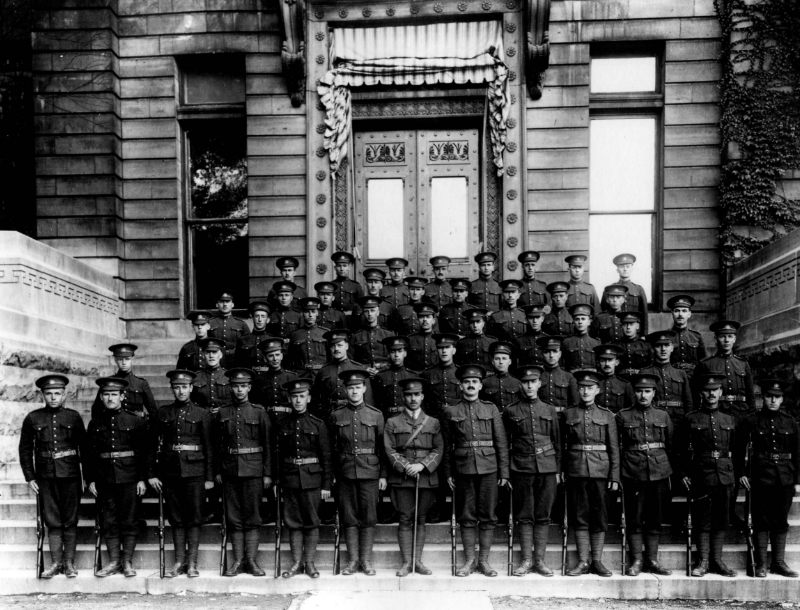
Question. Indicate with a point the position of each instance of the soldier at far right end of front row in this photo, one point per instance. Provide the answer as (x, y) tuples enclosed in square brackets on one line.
[(773, 475)]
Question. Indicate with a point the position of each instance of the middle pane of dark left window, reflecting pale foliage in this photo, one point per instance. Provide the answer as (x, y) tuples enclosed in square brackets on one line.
[(218, 170)]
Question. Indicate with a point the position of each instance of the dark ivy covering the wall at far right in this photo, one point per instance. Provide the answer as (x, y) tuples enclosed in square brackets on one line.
[(760, 122)]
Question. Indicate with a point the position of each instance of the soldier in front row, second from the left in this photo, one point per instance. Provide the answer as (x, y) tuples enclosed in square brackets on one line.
[(115, 470)]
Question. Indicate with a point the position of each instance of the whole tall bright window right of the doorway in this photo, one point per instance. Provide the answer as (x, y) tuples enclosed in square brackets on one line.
[(626, 98)]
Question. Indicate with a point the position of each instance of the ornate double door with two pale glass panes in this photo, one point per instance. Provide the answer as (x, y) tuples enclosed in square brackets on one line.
[(418, 195)]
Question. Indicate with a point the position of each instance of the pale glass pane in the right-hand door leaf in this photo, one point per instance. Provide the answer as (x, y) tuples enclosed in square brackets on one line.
[(449, 217)]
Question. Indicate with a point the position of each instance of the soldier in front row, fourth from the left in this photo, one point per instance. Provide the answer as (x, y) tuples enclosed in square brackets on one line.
[(244, 468)]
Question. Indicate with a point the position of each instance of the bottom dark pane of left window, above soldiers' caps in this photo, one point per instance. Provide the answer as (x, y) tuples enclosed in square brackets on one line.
[(220, 259)]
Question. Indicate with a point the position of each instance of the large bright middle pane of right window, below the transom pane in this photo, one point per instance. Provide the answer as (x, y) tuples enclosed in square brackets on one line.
[(622, 164)]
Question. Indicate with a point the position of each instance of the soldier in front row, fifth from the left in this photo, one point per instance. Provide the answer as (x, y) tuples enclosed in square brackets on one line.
[(306, 476)]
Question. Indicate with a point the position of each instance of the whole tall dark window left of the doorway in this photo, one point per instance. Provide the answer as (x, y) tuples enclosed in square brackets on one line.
[(211, 112)]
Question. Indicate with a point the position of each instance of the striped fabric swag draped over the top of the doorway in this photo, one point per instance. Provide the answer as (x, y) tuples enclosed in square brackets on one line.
[(414, 55)]
